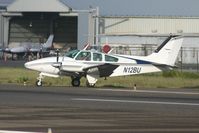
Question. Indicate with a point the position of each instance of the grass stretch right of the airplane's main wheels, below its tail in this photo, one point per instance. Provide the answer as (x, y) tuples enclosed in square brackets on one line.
[(152, 81)]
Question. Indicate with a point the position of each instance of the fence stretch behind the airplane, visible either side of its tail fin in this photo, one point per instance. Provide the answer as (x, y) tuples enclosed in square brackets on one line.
[(188, 58)]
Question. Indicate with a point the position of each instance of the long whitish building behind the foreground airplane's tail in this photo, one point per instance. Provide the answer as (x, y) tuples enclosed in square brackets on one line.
[(140, 35)]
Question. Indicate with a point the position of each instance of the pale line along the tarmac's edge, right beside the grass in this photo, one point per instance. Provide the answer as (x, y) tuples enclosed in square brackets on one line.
[(149, 91)]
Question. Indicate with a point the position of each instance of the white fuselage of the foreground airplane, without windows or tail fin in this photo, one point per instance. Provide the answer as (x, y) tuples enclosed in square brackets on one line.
[(126, 66)]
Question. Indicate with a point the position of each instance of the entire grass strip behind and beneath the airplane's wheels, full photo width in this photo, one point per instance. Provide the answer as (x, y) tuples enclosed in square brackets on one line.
[(170, 79)]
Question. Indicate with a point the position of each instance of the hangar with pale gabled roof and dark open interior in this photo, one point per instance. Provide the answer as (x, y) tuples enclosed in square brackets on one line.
[(33, 21)]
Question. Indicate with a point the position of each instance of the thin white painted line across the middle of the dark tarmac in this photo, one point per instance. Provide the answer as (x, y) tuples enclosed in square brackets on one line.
[(129, 101)]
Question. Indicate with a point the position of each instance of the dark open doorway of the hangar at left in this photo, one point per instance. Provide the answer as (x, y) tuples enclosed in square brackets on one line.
[(36, 27)]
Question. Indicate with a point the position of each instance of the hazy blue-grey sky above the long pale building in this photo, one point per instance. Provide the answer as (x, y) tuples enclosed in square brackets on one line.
[(136, 7)]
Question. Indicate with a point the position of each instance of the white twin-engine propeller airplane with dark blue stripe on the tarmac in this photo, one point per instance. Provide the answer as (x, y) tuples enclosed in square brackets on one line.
[(93, 64)]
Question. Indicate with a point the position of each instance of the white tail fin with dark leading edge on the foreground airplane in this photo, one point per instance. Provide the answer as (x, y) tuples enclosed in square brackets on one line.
[(167, 52)]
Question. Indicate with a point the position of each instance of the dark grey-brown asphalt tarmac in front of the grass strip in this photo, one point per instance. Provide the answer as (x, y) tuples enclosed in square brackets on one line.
[(91, 110)]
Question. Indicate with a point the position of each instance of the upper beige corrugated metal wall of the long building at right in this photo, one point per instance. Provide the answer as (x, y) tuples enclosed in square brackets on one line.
[(120, 25)]
